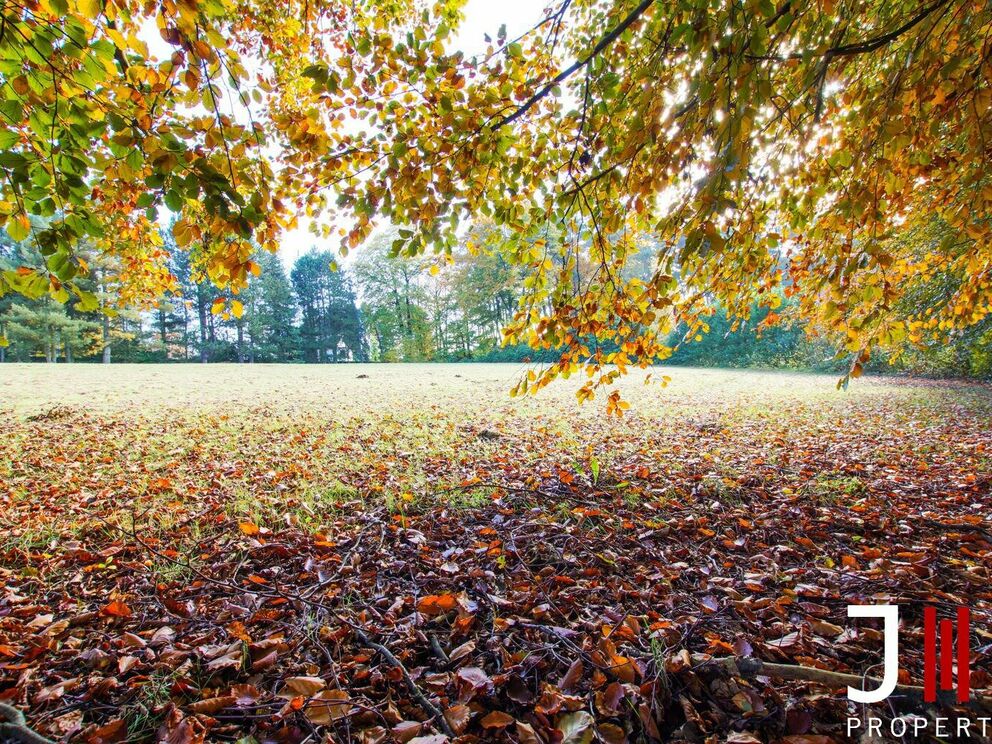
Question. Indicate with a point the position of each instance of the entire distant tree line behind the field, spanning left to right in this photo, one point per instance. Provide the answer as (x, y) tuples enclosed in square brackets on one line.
[(385, 308)]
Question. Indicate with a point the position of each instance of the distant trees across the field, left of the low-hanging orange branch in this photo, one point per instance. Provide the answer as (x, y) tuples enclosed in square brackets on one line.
[(381, 308)]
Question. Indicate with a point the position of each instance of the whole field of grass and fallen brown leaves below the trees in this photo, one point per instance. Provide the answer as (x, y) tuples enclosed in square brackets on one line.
[(383, 552)]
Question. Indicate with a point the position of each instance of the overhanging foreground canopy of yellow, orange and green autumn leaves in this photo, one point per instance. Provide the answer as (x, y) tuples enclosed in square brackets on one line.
[(835, 152)]
